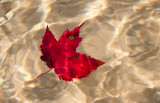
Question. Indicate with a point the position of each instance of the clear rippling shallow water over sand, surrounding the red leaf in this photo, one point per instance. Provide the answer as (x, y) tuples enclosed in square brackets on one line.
[(123, 33)]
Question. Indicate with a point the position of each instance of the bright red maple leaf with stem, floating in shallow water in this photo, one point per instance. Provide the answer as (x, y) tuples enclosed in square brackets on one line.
[(62, 56)]
